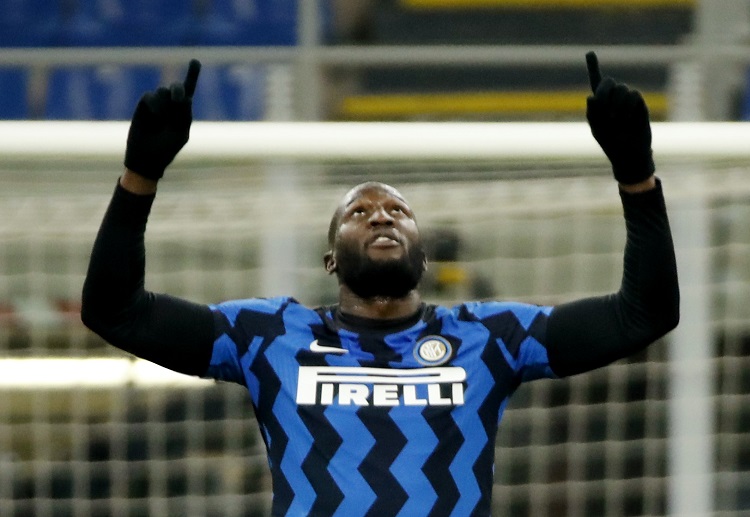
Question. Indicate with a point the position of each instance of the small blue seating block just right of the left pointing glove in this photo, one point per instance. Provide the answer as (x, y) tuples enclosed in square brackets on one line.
[(235, 92)]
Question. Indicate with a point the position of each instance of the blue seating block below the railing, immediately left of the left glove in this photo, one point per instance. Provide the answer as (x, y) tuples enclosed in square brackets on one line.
[(98, 93)]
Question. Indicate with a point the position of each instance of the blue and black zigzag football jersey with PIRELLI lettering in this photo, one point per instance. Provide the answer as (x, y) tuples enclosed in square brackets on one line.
[(380, 422)]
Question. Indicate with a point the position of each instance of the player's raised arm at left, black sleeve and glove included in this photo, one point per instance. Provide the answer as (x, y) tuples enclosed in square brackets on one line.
[(174, 333)]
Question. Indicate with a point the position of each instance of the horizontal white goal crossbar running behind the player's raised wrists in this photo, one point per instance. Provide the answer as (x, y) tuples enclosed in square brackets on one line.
[(383, 140)]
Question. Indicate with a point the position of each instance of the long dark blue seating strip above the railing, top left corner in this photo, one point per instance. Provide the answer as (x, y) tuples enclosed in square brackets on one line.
[(44, 23)]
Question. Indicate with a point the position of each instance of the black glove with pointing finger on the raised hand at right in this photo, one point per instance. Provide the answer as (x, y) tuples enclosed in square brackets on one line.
[(619, 121)]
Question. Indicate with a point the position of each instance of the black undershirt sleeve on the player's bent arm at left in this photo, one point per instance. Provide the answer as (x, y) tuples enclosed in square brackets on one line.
[(169, 331)]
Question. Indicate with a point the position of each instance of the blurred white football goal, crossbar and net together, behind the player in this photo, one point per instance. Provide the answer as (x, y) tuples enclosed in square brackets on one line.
[(525, 212)]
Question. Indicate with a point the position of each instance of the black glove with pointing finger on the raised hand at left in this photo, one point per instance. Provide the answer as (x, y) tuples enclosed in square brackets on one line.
[(161, 126)]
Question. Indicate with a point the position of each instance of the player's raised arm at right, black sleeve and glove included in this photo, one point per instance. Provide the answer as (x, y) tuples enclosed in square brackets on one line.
[(593, 332)]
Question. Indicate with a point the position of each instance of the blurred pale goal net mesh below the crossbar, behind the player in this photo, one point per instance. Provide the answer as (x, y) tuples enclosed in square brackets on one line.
[(537, 230)]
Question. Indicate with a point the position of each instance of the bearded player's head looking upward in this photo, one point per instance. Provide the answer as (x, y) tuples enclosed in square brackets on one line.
[(377, 250)]
